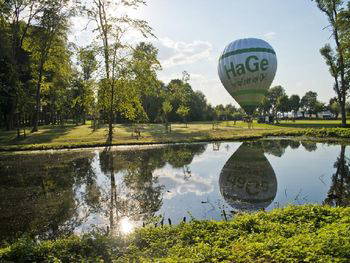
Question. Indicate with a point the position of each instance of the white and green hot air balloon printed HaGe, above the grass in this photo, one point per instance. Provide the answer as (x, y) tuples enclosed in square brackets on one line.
[(247, 68)]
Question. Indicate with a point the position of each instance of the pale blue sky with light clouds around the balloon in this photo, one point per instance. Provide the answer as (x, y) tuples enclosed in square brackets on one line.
[(191, 34)]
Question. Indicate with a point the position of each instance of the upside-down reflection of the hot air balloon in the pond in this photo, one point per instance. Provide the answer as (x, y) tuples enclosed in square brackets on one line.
[(247, 181)]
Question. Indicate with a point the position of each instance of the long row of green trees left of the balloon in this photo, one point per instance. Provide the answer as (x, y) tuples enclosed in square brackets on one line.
[(44, 79)]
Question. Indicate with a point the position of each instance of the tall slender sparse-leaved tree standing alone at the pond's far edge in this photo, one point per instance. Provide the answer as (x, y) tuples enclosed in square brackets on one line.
[(112, 25)]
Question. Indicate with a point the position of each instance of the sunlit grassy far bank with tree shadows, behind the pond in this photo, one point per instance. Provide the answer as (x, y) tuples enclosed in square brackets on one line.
[(73, 136)]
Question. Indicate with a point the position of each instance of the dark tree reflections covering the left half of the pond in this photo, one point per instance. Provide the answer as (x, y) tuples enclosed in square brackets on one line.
[(51, 195)]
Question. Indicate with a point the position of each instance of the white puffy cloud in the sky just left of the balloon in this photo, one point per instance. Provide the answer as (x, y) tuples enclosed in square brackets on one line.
[(174, 53)]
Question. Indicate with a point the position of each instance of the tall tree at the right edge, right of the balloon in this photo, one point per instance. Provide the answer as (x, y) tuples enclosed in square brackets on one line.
[(336, 60)]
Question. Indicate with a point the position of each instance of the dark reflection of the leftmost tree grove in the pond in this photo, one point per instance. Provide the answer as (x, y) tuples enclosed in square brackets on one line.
[(38, 194)]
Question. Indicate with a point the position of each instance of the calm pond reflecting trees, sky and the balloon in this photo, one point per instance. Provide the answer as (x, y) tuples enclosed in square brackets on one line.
[(55, 193)]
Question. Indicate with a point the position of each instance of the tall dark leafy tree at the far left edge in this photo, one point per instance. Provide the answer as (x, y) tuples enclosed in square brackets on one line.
[(17, 17)]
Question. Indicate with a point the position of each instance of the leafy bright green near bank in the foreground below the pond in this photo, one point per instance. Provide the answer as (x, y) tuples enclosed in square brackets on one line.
[(293, 234)]
